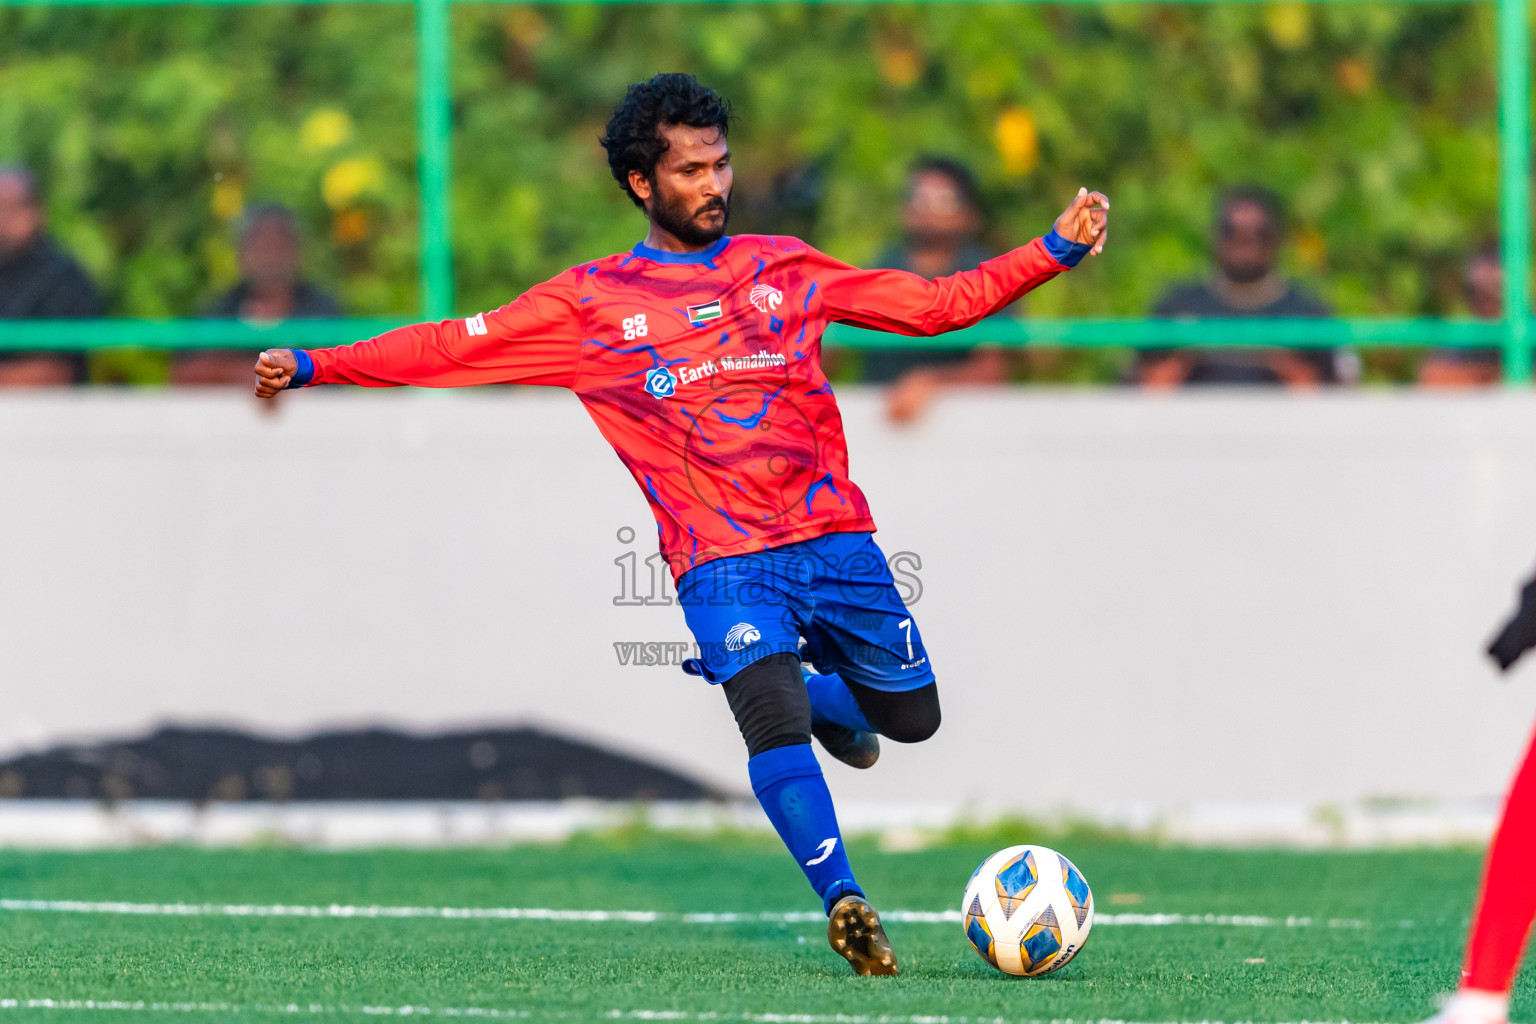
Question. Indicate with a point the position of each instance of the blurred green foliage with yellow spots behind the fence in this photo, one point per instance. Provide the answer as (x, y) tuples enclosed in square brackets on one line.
[(154, 128)]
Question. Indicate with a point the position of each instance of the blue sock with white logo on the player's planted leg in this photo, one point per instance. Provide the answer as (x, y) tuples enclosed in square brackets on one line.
[(790, 787)]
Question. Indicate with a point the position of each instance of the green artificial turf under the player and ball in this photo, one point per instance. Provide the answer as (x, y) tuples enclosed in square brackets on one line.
[(1399, 946)]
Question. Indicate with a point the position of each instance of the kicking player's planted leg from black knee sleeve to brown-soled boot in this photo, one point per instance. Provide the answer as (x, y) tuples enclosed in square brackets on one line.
[(773, 710)]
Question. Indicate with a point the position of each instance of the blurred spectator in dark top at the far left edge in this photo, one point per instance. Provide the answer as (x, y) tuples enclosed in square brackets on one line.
[(38, 280)]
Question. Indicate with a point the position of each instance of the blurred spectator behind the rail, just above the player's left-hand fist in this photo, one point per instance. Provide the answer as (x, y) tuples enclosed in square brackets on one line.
[(271, 288)]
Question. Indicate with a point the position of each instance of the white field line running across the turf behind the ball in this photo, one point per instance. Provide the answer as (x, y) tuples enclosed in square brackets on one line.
[(634, 917)]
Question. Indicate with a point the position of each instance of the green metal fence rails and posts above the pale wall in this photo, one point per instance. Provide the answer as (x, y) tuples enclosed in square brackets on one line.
[(435, 173)]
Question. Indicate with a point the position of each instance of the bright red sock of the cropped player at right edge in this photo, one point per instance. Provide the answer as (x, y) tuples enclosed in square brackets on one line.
[(1508, 903)]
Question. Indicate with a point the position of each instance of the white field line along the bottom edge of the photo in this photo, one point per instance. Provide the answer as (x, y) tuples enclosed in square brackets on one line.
[(316, 1009)]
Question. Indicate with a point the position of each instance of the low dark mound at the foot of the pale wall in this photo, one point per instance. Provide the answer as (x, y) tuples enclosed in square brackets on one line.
[(188, 764)]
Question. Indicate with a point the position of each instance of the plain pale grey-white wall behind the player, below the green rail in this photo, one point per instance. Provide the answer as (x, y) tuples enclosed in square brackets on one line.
[(1131, 601)]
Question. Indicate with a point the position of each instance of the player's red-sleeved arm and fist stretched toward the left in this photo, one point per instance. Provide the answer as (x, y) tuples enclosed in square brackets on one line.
[(535, 340)]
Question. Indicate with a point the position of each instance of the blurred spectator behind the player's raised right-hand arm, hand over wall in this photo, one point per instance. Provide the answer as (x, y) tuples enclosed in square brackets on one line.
[(942, 220)]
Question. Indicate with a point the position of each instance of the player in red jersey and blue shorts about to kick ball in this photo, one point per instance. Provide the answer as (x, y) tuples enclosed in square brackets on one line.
[(698, 355)]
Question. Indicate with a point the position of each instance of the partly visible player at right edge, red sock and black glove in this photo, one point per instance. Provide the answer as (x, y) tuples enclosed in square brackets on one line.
[(1508, 902)]
